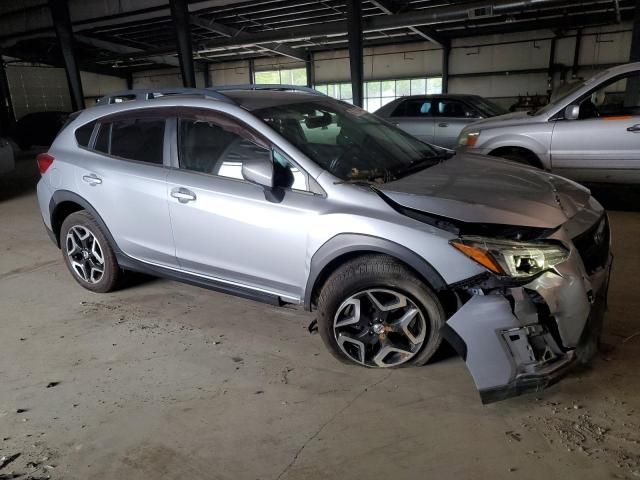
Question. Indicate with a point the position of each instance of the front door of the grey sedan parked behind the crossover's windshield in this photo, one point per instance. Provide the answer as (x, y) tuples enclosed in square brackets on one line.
[(450, 117)]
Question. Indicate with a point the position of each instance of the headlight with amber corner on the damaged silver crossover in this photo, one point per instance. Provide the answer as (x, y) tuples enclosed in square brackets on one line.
[(510, 258)]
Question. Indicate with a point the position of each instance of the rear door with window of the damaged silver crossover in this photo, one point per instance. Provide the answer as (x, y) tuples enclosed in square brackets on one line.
[(122, 174)]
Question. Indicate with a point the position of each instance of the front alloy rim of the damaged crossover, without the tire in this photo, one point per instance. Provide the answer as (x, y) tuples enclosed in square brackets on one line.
[(379, 328)]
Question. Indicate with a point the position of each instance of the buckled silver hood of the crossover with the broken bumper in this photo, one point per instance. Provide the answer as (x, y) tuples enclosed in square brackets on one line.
[(478, 189)]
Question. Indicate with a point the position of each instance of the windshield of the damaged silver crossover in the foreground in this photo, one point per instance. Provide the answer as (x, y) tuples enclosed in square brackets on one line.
[(349, 142)]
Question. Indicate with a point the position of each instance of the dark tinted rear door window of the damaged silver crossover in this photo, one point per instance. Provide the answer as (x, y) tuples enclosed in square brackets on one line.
[(139, 139)]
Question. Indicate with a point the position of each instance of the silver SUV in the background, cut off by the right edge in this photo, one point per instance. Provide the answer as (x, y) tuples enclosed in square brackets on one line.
[(590, 134)]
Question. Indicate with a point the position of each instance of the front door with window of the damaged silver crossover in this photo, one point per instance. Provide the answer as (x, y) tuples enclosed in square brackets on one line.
[(229, 229)]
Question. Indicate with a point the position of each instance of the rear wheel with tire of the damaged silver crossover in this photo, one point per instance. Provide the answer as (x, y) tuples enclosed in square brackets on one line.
[(87, 253)]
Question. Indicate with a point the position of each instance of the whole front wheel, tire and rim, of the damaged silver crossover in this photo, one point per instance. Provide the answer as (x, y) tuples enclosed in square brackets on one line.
[(375, 312)]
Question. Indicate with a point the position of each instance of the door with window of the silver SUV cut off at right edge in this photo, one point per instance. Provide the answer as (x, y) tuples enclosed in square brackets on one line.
[(603, 144)]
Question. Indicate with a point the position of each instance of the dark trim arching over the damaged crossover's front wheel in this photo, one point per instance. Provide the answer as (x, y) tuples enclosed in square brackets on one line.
[(346, 243)]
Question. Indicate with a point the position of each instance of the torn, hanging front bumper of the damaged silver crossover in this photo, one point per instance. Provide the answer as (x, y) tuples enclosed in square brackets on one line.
[(520, 339)]
